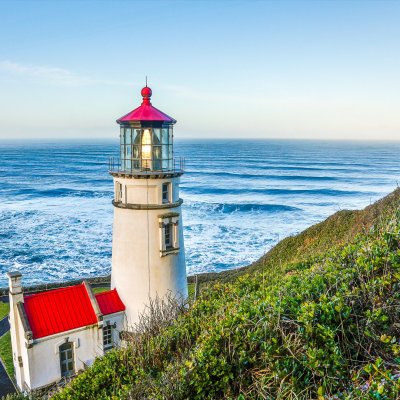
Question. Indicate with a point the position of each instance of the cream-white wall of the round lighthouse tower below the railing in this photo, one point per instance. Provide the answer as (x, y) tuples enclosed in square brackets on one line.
[(139, 270)]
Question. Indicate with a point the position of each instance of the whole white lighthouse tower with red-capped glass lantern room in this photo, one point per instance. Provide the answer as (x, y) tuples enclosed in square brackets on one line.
[(148, 256)]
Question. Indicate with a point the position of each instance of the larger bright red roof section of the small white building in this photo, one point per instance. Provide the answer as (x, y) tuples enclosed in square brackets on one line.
[(59, 310)]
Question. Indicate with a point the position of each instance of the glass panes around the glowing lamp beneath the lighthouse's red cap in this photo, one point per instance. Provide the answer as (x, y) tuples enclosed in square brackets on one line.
[(147, 149)]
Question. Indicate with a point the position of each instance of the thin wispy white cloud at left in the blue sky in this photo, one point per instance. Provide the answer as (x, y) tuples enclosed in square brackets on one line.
[(52, 74)]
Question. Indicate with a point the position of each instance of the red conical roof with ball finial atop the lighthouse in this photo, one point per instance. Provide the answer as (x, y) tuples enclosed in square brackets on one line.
[(146, 112)]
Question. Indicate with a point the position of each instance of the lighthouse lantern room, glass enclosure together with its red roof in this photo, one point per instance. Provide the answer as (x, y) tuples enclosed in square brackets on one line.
[(146, 138)]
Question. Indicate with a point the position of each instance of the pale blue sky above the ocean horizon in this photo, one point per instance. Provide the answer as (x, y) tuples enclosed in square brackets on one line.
[(223, 69)]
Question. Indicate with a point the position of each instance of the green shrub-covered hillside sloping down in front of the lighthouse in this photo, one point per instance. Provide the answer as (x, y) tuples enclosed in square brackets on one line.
[(317, 317)]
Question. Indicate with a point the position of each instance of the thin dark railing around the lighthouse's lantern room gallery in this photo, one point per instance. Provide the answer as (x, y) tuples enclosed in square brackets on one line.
[(129, 166)]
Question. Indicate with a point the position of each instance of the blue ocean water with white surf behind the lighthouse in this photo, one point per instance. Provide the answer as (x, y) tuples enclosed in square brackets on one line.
[(240, 198)]
